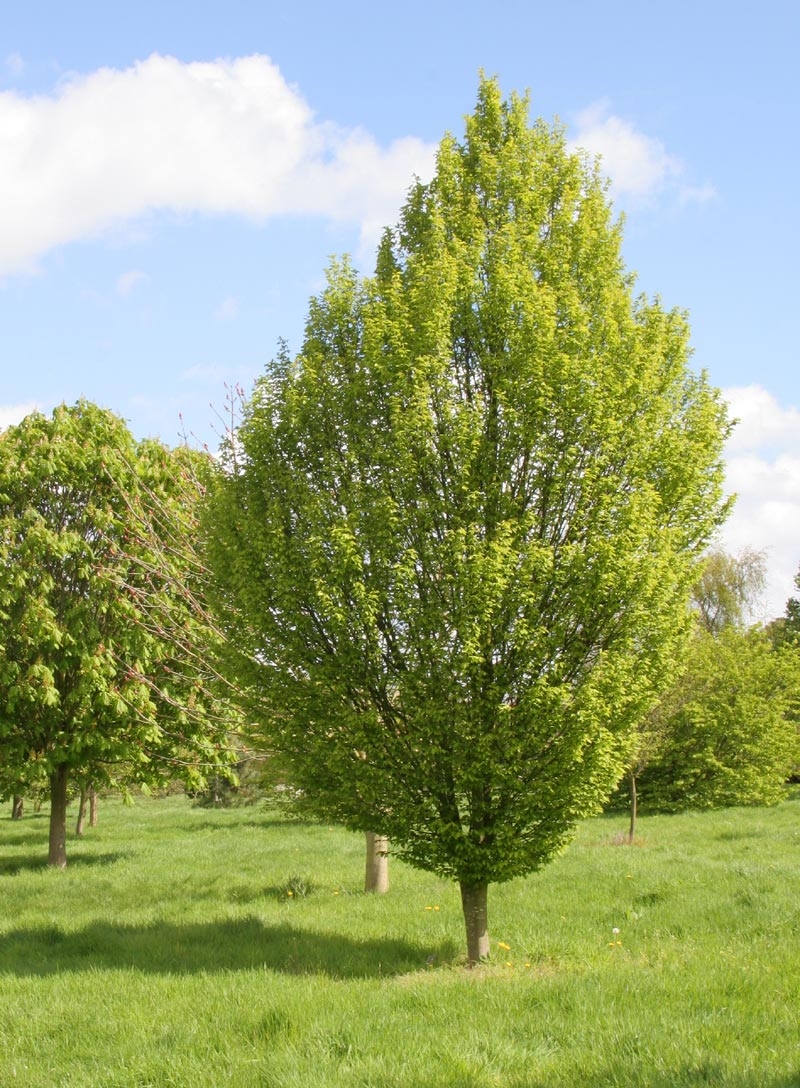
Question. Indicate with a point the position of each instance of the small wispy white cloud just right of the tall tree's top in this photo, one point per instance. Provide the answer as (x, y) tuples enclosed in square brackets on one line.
[(638, 166)]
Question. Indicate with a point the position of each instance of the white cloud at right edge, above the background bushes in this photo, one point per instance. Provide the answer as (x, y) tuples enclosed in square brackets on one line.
[(764, 469)]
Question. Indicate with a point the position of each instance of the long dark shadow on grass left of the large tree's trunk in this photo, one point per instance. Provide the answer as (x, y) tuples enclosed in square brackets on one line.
[(239, 945)]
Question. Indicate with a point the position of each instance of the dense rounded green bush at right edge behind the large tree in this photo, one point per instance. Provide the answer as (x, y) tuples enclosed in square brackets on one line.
[(724, 735)]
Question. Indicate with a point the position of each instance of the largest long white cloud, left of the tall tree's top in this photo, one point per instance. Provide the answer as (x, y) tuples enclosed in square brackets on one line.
[(228, 137)]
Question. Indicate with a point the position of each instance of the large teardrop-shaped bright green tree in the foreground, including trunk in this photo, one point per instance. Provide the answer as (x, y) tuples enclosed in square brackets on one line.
[(456, 537)]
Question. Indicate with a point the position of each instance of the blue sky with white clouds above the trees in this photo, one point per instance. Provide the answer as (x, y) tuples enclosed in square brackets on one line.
[(176, 177)]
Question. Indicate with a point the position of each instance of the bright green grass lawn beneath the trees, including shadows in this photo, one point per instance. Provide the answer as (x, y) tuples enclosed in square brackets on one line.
[(171, 954)]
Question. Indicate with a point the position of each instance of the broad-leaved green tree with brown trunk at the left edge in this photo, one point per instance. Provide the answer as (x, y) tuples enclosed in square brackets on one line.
[(93, 683)]
